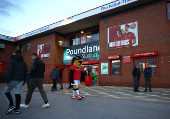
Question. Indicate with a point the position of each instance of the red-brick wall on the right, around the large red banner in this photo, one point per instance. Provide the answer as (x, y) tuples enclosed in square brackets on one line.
[(153, 35)]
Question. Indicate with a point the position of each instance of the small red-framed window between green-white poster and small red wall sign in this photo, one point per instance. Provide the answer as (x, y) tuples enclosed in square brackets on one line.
[(115, 67)]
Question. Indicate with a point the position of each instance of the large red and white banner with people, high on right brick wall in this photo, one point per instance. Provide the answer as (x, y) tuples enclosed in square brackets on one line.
[(125, 35)]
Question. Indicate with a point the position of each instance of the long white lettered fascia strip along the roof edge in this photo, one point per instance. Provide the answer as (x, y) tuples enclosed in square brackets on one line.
[(89, 13)]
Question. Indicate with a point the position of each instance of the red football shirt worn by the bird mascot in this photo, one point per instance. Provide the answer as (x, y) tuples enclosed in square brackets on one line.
[(77, 72)]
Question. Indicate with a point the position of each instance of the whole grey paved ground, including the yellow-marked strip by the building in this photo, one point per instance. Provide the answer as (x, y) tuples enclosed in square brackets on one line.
[(100, 102)]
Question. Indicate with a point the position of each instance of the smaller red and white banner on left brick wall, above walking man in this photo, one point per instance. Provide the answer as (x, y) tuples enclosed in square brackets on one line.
[(44, 50)]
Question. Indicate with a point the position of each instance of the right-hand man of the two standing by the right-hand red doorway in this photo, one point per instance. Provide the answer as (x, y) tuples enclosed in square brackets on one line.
[(148, 72)]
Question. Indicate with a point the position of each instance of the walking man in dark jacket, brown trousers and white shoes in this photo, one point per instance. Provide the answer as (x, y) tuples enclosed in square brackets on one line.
[(37, 79)]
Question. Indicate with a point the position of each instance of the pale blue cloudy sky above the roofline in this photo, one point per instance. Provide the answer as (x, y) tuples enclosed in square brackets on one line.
[(18, 17)]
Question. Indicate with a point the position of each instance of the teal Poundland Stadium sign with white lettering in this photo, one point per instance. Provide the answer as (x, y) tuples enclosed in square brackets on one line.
[(88, 52)]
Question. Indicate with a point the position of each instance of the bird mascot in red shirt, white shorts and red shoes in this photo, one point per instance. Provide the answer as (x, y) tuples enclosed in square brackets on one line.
[(76, 75)]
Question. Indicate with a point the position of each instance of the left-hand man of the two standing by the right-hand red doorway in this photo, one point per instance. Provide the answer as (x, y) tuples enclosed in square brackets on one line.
[(136, 77)]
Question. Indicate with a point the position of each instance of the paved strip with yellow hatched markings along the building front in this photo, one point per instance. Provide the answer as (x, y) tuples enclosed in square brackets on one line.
[(158, 94)]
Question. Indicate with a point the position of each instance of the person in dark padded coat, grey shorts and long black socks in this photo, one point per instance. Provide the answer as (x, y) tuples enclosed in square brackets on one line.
[(15, 77)]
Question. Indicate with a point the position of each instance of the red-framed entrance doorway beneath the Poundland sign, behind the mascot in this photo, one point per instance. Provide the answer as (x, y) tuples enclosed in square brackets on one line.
[(92, 68)]
